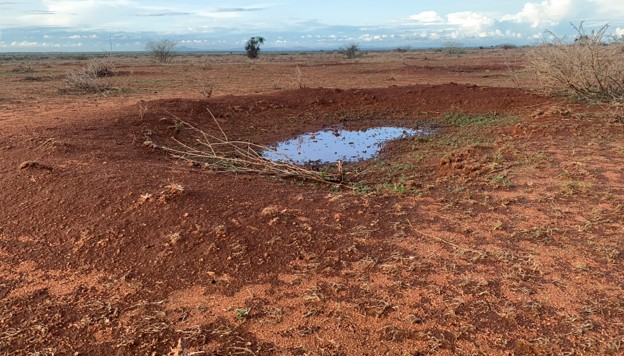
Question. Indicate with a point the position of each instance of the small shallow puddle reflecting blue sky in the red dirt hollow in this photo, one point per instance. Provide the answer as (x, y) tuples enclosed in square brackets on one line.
[(337, 145)]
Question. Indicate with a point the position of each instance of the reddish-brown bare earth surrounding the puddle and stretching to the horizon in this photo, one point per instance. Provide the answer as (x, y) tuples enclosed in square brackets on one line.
[(502, 236)]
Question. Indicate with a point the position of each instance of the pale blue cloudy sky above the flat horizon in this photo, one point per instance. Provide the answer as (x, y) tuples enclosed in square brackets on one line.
[(126, 25)]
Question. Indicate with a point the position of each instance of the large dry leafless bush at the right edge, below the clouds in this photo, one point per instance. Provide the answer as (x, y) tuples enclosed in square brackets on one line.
[(590, 68)]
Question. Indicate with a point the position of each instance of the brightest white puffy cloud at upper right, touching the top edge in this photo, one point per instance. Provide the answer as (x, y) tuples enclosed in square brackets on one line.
[(549, 12)]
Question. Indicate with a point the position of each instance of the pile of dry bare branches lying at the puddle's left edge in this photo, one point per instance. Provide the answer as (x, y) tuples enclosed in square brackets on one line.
[(220, 154)]
